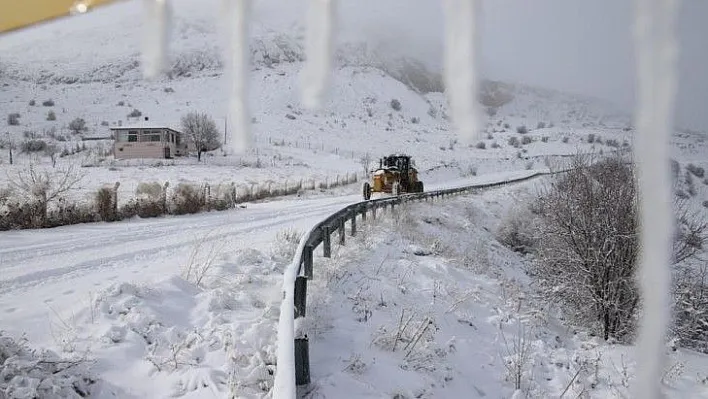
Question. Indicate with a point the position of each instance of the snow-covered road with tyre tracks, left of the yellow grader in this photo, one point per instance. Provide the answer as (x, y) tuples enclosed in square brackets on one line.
[(55, 271)]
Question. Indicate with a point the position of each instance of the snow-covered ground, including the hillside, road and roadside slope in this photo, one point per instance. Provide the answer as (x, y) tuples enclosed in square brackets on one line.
[(423, 303)]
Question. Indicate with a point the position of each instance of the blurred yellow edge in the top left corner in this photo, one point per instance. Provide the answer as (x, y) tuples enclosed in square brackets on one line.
[(16, 14)]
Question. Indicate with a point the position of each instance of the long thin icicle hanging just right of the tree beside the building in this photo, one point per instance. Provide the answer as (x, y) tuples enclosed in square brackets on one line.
[(239, 134)]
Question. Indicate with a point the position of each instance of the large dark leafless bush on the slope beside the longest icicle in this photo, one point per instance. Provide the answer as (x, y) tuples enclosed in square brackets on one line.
[(589, 242)]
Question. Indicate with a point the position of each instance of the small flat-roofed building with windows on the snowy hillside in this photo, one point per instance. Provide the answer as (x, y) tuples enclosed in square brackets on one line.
[(148, 142)]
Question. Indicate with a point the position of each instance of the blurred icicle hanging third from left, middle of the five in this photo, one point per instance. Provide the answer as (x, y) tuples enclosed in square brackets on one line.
[(319, 47)]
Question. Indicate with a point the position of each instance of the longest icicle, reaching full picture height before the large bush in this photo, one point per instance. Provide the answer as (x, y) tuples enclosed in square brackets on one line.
[(656, 51)]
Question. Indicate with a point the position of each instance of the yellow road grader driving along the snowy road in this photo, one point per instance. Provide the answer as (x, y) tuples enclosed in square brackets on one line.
[(395, 175)]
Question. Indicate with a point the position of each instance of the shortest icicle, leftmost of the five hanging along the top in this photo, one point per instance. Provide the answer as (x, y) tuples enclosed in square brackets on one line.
[(155, 41)]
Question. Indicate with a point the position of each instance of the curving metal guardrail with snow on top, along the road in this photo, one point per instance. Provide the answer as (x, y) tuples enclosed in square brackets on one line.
[(302, 270)]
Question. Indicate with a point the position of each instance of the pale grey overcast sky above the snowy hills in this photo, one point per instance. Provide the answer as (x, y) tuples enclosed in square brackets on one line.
[(582, 46)]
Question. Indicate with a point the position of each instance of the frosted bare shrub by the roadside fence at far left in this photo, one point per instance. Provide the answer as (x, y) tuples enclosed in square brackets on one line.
[(43, 187)]
